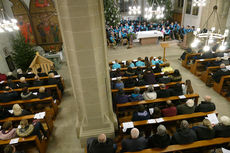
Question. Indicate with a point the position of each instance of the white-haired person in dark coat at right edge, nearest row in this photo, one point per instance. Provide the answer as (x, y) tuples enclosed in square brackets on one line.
[(223, 128)]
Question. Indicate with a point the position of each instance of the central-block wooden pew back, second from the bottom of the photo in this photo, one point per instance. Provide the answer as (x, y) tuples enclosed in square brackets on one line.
[(169, 119)]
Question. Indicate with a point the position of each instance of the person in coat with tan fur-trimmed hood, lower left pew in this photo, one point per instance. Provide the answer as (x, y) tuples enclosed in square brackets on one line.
[(27, 129)]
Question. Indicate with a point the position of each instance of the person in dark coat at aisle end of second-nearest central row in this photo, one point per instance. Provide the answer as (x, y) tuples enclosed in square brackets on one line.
[(206, 105)]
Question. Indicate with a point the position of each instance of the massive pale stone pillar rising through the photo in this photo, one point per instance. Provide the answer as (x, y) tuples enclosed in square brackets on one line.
[(83, 31)]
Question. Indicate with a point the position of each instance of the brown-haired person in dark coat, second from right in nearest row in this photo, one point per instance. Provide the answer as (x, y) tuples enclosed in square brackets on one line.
[(205, 131)]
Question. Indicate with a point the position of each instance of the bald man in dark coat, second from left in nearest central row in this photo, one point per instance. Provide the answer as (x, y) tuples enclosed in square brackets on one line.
[(135, 143)]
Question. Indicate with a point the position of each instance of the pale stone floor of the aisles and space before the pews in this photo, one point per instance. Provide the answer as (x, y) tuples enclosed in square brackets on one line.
[(64, 138)]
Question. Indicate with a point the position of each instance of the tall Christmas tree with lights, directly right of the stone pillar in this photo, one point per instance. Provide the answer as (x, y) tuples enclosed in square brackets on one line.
[(112, 13)]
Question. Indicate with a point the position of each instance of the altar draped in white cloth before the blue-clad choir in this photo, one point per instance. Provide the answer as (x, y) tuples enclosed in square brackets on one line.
[(149, 37)]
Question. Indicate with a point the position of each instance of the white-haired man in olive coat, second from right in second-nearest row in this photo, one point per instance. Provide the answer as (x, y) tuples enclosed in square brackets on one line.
[(187, 108)]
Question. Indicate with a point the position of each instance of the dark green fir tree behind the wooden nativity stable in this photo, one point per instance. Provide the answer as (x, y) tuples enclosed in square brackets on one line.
[(23, 53)]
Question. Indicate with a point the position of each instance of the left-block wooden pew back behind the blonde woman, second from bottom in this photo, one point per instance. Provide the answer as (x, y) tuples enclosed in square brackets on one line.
[(48, 121)]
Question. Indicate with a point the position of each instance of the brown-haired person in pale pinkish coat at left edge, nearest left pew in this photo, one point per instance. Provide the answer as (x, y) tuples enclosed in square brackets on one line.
[(7, 132)]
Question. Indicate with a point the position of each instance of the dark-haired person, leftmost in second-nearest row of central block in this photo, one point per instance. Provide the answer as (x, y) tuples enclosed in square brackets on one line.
[(141, 114)]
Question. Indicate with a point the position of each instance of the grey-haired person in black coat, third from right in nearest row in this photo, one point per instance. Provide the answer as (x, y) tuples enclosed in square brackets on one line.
[(184, 135)]
